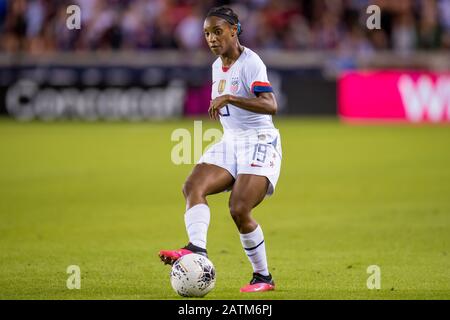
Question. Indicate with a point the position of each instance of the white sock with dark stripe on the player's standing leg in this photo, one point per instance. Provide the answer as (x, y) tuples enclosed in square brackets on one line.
[(255, 249)]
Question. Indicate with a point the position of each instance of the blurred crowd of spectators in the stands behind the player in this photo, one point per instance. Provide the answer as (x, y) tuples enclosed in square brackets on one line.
[(40, 25)]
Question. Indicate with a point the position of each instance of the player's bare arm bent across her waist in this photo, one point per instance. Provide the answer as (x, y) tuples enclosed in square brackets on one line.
[(263, 103)]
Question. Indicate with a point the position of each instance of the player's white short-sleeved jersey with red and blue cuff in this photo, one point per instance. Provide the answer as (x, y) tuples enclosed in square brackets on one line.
[(245, 78)]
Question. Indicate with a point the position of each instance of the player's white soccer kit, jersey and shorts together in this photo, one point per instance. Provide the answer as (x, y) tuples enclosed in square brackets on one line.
[(250, 144)]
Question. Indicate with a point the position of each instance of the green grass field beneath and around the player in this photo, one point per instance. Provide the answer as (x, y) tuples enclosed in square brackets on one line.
[(106, 197)]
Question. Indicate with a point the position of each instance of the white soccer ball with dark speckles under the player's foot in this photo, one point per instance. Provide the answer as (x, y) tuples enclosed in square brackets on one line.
[(193, 275)]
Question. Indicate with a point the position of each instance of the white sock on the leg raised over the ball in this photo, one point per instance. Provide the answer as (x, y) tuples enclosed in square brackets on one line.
[(197, 223)]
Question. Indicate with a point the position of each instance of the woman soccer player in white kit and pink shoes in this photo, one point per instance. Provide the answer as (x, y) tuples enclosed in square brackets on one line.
[(247, 160)]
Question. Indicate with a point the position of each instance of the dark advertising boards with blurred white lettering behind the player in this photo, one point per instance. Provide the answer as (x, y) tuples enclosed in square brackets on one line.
[(127, 92)]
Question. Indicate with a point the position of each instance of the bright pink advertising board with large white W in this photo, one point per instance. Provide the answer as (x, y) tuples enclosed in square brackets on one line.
[(394, 96)]
